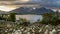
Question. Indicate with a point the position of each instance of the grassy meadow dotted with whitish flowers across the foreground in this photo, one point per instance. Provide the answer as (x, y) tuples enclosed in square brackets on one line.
[(32, 28)]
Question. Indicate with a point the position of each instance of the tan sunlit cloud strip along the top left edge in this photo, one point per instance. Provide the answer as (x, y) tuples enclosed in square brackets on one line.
[(13, 1)]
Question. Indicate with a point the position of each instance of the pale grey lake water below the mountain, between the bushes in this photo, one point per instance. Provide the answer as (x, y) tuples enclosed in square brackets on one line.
[(31, 18)]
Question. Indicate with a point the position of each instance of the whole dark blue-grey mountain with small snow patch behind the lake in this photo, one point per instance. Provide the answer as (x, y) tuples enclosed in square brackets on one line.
[(37, 11)]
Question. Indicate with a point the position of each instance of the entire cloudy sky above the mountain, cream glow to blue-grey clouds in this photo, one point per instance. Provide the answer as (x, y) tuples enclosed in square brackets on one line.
[(8, 5)]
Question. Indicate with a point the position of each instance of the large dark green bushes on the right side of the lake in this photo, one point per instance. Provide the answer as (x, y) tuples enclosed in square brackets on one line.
[(51, 18)]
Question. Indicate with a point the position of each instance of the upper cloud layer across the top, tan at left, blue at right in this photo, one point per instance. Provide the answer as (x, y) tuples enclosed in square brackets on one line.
[(44, 3)]
